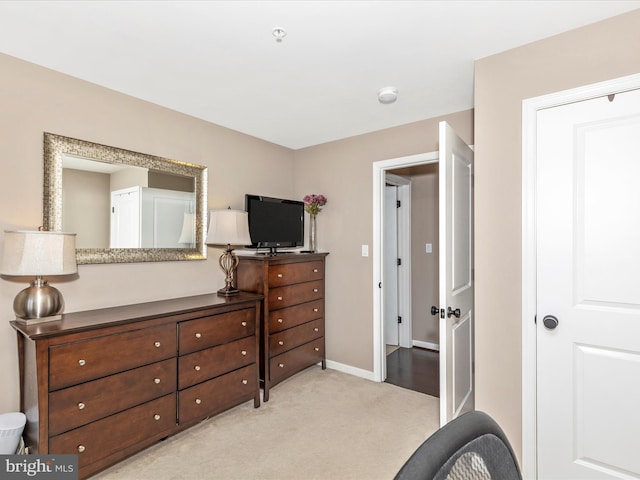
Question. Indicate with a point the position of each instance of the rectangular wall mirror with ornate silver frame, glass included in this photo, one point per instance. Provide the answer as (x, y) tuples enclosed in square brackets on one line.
[(124, 206)]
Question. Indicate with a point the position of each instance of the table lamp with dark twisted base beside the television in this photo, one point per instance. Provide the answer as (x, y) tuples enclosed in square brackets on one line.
[(228, 227)]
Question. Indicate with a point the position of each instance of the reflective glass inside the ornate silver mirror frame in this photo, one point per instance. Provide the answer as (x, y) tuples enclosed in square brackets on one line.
[(122, 206)]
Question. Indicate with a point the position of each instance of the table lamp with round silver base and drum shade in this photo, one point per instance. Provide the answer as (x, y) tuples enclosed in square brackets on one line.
[(38, 253)]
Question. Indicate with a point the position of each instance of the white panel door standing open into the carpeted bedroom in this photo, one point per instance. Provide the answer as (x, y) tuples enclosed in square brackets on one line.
[(456, 275)]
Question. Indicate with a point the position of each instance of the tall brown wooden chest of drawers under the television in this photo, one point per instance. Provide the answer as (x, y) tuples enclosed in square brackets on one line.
[(293, 327)]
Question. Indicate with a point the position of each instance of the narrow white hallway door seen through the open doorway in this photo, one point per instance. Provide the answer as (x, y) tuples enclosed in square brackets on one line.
[(390, 269)]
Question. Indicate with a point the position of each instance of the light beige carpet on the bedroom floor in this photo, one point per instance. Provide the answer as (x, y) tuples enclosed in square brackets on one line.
[(317, 425)]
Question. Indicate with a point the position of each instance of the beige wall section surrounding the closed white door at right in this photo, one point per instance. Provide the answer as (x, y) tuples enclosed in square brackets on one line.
[(602, 51)]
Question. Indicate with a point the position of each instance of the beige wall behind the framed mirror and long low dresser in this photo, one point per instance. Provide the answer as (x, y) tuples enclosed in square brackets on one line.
[(35, 100)]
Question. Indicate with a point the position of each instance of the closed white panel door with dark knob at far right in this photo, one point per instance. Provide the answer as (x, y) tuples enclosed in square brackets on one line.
[(588, 294)]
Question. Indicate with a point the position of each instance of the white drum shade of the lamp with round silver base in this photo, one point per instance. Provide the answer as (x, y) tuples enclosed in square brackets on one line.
[(39, 253)]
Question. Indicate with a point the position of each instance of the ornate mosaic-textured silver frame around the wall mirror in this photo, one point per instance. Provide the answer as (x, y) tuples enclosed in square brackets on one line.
[(56, 147)]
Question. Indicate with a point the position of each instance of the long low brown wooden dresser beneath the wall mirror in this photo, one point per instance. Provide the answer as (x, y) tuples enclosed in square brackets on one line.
[(107, 383)]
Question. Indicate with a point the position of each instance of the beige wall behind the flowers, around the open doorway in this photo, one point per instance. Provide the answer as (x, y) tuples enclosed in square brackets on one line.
[(343, 171)]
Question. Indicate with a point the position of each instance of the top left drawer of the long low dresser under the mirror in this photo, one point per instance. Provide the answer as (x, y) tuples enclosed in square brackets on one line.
[(77, 362)]
